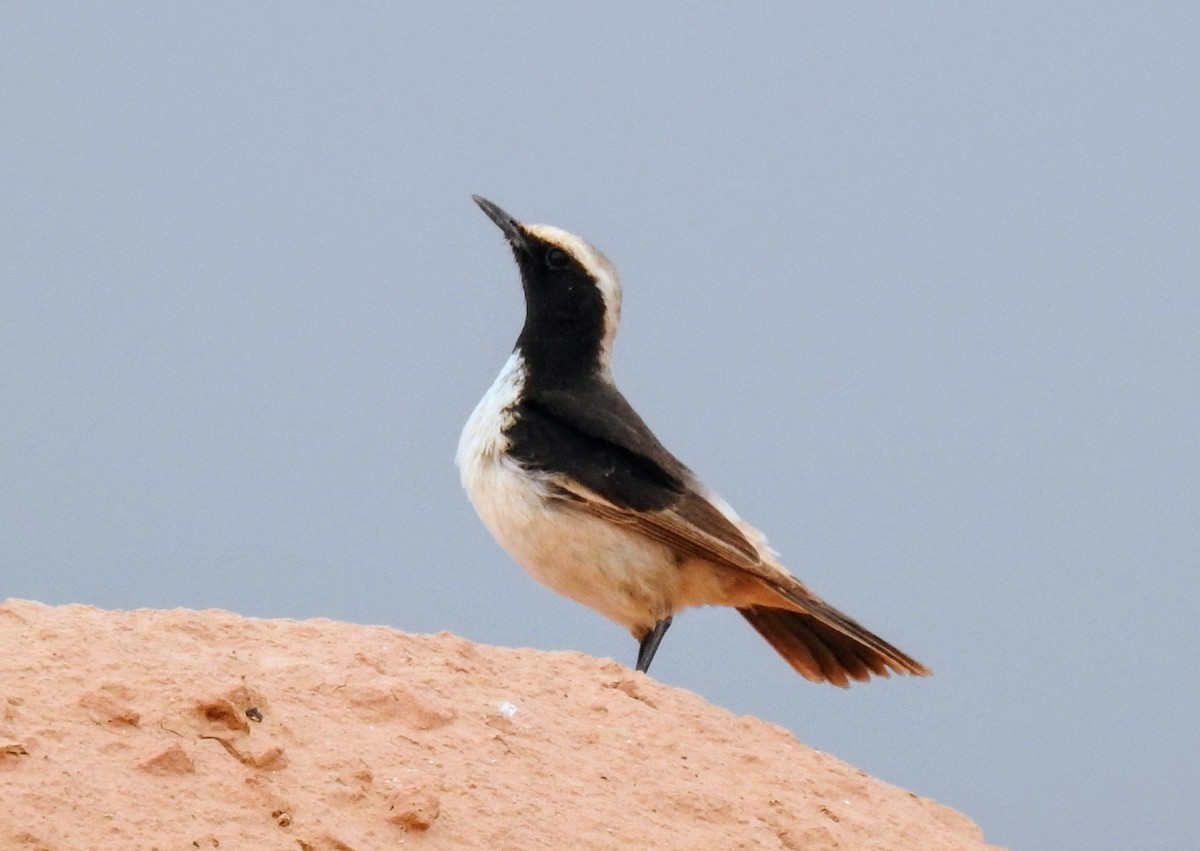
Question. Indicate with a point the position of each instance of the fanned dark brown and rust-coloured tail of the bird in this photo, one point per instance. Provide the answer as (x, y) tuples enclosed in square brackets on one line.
[(826, 646)]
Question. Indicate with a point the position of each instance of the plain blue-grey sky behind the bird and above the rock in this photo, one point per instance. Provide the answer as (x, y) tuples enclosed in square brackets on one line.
[(915, 289)]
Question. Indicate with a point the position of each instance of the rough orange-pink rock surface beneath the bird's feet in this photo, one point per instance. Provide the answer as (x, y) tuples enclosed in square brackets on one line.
[(182, 730)]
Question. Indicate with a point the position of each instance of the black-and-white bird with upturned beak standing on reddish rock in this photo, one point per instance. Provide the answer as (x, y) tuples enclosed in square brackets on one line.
[(577, 488)]
